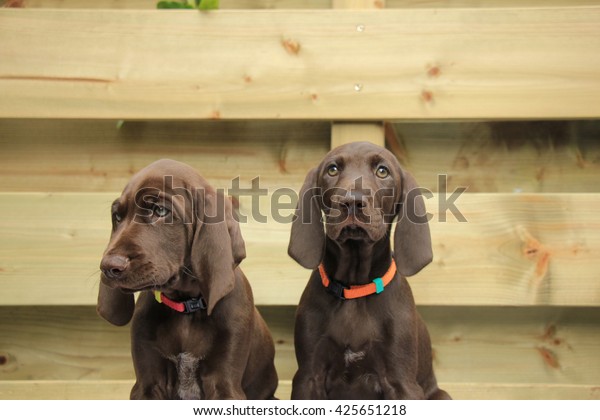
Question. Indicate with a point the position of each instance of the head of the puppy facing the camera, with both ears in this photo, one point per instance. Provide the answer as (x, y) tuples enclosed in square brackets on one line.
[(360, 188)]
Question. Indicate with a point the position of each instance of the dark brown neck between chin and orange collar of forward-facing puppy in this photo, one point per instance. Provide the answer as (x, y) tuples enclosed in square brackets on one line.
[(357, 262)]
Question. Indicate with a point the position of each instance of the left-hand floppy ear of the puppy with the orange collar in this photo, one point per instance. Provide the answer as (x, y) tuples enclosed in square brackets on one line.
[(307, 238)]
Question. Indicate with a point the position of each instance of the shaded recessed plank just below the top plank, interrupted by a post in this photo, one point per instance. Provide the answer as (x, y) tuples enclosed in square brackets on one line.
[(96, 156)]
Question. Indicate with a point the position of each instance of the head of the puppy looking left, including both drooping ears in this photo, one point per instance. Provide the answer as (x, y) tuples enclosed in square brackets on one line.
[(171, 232)]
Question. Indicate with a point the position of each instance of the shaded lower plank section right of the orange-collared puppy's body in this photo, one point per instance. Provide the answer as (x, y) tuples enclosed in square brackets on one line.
[(514, 345)]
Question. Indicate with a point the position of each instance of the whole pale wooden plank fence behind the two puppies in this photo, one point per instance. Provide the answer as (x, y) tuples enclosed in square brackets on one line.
[(496, 96)]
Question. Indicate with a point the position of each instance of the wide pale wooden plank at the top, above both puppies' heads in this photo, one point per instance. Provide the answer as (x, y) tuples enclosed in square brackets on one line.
[(358, 65)]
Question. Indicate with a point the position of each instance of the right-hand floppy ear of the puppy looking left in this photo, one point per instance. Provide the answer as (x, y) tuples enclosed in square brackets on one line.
[(212, 253)]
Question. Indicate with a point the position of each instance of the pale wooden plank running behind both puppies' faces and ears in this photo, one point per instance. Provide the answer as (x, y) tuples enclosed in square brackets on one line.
[(514, 249)]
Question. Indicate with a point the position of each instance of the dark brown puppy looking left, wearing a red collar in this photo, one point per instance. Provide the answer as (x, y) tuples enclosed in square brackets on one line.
[(175, 234)]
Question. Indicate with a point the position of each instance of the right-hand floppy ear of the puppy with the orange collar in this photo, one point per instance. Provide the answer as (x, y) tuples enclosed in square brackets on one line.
[(412, 240)]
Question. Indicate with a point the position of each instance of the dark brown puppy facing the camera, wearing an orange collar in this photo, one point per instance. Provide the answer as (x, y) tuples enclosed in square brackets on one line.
[(374, 346)]
